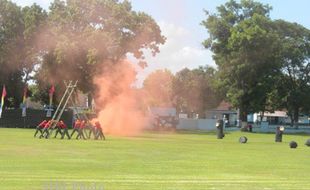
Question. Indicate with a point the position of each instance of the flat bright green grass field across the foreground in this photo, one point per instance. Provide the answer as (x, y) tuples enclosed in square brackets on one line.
[(170, 161)]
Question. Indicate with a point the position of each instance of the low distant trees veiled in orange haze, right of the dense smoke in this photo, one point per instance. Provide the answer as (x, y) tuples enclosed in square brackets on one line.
[(190, 91)]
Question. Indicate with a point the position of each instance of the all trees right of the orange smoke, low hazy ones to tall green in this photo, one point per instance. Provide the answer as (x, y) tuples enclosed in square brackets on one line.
[(261, 65)]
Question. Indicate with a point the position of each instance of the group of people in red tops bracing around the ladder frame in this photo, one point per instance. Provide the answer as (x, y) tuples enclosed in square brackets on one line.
[(85, 129)]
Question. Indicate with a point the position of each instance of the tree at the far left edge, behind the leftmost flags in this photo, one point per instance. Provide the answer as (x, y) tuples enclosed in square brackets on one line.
[(16, 32)]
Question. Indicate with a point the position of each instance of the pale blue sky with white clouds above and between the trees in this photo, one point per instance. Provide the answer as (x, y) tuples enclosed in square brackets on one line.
[(180, 23)]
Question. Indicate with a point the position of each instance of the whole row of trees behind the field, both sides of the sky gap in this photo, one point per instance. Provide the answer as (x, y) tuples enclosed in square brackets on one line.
[(262, 64)]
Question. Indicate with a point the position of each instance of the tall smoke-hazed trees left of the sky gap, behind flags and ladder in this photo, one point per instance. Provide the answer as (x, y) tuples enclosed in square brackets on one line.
[(72, 40)]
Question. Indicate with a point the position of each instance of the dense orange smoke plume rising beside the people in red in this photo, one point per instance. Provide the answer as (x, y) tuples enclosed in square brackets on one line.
[(118, 102)]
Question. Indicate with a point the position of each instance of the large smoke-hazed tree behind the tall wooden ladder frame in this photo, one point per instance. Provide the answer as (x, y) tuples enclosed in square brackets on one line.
[(85, 38)]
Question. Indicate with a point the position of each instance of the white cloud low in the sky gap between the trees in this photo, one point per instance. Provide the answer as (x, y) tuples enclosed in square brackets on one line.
[(177, 53)]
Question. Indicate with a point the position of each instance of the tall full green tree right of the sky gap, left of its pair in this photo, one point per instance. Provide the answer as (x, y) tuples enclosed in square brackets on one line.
[(245, 46)]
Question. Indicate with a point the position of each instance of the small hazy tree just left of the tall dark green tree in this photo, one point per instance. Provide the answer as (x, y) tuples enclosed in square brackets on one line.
[(193, 91)]
